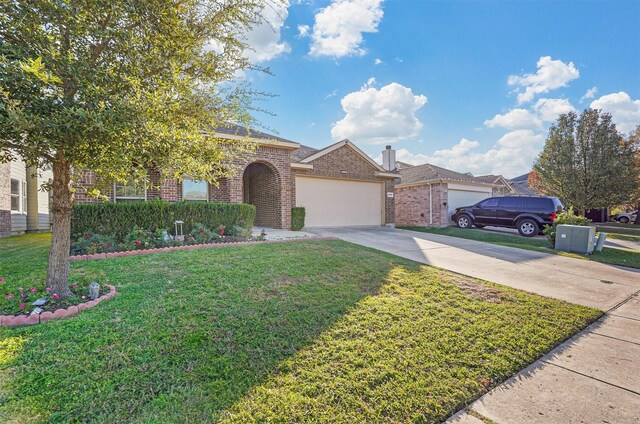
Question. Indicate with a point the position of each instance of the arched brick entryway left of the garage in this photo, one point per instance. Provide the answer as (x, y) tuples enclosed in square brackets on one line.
[(261, 188)]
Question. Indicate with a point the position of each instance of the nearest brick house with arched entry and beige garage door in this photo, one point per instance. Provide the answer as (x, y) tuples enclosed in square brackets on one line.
[(338, 185)]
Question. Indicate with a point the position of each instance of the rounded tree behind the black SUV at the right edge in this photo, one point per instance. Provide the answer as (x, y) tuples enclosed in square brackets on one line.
[(587, 162)]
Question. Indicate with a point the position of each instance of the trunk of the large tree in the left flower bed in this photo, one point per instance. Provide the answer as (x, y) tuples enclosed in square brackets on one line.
[(62, 201)]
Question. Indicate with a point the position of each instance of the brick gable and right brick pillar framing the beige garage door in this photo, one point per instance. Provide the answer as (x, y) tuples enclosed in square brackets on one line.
[(344, 162)]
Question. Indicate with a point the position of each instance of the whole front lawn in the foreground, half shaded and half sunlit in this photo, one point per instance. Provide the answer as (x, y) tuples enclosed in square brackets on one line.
[(298, 332)]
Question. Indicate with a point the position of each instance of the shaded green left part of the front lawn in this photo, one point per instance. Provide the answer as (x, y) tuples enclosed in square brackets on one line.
[(188, 334)]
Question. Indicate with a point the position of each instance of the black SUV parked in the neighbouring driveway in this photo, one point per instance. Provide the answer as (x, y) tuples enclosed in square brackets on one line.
[(529, 214)]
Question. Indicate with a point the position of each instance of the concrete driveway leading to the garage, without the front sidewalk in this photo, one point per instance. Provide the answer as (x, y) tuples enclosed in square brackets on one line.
[(578, 281)]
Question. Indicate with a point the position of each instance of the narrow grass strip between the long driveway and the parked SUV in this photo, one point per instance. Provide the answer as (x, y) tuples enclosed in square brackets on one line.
[(608, 255)]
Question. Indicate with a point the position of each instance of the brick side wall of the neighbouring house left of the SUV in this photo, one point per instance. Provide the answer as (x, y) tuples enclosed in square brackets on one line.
[(412, 205)]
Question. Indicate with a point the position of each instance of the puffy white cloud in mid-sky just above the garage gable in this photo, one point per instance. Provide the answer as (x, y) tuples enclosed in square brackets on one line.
[(377, 116)]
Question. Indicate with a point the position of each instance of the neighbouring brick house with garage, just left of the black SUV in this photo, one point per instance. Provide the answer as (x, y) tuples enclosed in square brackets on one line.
[(427, 195)]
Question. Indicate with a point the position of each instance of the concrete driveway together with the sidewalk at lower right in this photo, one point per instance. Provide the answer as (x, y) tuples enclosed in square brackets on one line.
[(593, 377)]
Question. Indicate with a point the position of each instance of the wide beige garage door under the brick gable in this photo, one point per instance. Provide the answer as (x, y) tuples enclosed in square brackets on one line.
[(338, 203)]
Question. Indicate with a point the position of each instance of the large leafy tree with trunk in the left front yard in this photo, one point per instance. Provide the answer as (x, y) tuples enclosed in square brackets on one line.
[(117, 86)]
